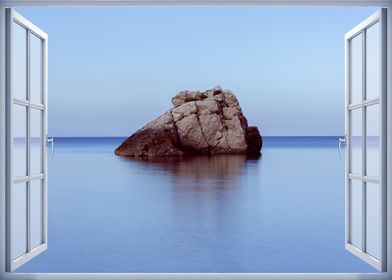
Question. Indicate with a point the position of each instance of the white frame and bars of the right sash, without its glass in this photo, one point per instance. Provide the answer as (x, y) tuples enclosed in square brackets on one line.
[(378, 17)]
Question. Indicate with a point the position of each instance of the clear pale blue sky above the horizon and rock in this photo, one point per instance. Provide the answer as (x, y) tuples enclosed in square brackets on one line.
[(111, 70)]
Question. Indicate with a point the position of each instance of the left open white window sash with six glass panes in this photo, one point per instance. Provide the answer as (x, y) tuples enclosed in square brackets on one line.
[(26, 141)]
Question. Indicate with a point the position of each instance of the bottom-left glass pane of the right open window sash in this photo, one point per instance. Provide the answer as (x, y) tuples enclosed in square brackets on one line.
[(356, 213)]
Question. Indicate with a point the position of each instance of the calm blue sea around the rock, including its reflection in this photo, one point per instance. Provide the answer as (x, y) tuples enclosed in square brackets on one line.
[(282, 212)]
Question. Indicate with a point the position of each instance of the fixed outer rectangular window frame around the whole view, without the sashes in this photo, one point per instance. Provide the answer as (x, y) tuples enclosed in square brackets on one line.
[(188, 276)]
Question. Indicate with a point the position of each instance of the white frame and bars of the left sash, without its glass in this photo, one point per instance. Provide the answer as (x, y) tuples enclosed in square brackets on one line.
[(31, 30)]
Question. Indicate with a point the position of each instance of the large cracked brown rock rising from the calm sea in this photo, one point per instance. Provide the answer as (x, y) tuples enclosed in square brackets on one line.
[(209, 122)]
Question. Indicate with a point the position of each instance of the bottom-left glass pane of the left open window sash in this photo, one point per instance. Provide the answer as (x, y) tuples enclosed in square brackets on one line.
[(19, 219)]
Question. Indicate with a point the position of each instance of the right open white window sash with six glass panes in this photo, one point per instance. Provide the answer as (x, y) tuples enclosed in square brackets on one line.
[(366, 140)]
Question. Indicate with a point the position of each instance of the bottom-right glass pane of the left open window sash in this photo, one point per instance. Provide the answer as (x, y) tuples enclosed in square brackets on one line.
[(36, 212)]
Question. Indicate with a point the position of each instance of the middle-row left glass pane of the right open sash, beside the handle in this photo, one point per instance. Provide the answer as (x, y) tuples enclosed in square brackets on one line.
[(356, 141)]
